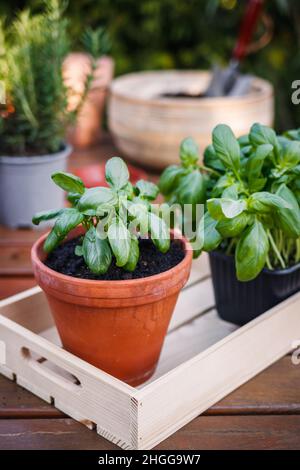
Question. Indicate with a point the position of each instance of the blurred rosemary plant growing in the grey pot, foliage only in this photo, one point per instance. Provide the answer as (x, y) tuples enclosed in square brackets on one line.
[(32, 50)]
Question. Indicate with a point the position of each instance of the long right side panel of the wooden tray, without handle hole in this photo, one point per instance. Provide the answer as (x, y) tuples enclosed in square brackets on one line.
[(191, 388)]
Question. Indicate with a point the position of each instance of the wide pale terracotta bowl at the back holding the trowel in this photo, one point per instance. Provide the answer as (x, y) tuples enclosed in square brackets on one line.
[(149, 127)]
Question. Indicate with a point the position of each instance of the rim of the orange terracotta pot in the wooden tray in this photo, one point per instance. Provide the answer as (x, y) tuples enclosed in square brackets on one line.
[(107, 283)]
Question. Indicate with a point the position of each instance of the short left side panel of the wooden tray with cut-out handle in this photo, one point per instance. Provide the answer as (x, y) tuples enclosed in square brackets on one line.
[(92, 397)]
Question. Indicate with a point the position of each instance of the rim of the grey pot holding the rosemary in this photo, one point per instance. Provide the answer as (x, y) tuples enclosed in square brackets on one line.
[(37, 159)]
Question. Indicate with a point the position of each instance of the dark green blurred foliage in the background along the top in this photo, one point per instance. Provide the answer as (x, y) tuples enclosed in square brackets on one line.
[(162, 34)]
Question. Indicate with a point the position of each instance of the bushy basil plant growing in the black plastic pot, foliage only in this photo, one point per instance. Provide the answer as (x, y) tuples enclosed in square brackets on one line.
[(253, 196)]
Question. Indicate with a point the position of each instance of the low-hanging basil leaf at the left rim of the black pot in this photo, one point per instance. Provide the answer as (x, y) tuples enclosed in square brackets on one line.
[(207, 237)]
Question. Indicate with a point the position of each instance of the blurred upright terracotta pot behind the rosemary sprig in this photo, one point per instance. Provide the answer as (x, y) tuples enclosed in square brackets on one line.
[(87, 130)]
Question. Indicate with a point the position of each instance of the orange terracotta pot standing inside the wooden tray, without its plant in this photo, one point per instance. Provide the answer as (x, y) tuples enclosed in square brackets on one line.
[(118, 326)]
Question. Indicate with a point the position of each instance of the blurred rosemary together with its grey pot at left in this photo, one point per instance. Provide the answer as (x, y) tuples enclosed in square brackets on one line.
[(35, 117)]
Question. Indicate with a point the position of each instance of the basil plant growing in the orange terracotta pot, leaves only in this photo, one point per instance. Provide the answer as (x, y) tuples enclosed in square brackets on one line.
[(113, 218)]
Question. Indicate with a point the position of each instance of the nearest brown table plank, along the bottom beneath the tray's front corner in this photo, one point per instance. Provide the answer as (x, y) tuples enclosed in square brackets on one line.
[(203, 433)]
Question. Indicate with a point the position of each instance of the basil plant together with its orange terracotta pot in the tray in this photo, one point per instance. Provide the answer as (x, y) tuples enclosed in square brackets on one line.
[(111, 290)]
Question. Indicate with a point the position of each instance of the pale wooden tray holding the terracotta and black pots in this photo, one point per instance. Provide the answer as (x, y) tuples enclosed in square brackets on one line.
[(203, 359)]
